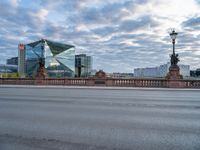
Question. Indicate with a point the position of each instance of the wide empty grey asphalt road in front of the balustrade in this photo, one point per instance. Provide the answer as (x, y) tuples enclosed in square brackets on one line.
[(42, 118)]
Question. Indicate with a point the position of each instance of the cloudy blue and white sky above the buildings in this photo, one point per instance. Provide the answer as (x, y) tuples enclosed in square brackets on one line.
[(120, 35)]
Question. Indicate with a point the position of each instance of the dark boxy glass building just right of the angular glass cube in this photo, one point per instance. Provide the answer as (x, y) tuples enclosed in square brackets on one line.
[(83, 65)]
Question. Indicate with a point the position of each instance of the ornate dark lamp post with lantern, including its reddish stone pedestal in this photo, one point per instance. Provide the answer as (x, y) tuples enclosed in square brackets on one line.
[(174, 71)]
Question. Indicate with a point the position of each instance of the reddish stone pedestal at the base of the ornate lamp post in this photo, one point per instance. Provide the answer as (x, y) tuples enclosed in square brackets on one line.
[(174, 73)]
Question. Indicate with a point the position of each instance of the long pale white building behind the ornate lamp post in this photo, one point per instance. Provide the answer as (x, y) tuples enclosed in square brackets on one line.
[(160, 71)]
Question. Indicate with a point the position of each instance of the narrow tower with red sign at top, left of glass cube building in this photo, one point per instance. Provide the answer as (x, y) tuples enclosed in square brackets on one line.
[(21, 60)]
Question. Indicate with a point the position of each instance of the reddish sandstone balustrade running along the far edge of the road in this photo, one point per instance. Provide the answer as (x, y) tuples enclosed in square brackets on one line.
[(159, 83)]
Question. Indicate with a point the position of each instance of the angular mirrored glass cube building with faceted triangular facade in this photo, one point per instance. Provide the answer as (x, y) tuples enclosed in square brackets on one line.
[(59, 59)]
